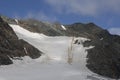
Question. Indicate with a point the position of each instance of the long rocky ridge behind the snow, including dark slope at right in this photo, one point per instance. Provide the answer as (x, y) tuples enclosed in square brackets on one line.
[(103, 59)]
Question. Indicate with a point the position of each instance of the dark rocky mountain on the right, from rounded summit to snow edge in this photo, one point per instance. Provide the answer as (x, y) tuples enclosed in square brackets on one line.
[(104, 58)]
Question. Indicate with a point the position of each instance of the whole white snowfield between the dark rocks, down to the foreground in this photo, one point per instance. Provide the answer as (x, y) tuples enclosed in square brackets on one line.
[(53, 64)]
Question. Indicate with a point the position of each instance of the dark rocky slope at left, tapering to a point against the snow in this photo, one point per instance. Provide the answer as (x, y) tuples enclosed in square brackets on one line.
[(11, 47)]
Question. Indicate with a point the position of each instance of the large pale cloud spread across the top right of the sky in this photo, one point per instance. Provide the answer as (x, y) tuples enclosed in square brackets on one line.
[(85, 7)]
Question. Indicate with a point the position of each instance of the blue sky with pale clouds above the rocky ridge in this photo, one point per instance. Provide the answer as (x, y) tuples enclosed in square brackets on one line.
[(104, 13)]
